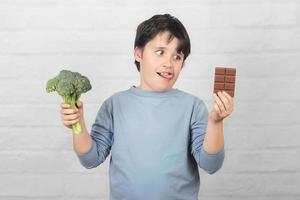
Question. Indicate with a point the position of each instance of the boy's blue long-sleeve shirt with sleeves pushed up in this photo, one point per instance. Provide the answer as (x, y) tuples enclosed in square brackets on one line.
[(155, 140)]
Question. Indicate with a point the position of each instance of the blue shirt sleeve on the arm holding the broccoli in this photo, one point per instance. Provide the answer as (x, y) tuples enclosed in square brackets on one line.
[(102, 138)]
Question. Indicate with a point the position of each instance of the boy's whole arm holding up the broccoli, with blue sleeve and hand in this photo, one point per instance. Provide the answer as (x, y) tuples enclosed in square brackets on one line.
[(92, 149)]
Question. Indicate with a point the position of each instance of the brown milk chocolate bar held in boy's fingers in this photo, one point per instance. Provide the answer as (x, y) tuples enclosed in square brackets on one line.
[(225, 80)]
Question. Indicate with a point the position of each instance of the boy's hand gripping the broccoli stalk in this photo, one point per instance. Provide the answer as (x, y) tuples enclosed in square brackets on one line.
[(71, 116)]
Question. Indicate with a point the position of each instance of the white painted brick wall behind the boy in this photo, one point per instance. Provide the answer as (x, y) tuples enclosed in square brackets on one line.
[(38, 38)]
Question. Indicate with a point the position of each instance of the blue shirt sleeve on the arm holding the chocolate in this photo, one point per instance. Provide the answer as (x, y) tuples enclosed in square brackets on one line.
[(208, 162)]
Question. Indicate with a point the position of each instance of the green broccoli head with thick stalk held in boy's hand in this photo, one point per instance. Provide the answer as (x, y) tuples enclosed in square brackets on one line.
[(69, 85)]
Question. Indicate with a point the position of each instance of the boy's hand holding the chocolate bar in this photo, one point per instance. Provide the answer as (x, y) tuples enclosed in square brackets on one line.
[(223, 106)]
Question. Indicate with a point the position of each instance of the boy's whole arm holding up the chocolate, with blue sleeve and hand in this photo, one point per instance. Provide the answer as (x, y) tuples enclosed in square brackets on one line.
[(207, 140)]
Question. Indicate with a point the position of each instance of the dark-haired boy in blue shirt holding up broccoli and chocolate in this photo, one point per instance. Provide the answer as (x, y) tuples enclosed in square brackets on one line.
[(157, 135)]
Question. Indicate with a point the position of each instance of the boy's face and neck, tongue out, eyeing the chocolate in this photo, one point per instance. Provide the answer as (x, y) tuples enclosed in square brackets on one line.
[(160, 63)]
